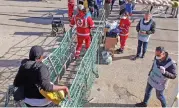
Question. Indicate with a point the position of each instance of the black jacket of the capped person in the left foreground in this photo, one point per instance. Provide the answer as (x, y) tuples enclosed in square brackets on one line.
[(30, 74)]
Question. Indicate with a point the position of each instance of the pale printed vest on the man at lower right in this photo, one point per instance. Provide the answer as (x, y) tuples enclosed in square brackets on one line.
[(156, 79)]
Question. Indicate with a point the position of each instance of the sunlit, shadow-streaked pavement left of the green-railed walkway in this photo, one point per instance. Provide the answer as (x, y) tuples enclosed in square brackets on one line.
[(21, 27)]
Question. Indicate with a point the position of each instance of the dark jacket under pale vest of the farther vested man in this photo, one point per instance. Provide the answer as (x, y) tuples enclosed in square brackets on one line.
[(152, 29)]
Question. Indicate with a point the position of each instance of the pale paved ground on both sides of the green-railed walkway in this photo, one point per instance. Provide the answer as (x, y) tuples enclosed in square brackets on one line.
[(120, 84)]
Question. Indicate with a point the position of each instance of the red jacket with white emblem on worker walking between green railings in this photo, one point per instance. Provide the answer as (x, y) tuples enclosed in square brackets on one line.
[(83, 24)]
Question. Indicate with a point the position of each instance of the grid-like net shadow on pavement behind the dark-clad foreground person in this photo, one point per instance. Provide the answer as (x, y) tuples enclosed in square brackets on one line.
[(9, 65)]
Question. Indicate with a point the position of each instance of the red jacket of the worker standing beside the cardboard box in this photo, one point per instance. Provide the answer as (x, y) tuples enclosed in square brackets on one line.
[(124, 26)]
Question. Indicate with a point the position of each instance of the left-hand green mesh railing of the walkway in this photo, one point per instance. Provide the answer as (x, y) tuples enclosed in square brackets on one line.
[(57, 60)]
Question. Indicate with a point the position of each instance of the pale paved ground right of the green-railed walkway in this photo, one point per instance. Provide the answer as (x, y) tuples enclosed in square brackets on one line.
[(123, 83)]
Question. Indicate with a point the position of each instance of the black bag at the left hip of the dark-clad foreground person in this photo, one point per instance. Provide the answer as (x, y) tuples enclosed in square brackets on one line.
[(19, 94)]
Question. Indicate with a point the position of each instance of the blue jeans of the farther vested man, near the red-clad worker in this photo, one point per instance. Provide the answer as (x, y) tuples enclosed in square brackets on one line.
[(144, 49)]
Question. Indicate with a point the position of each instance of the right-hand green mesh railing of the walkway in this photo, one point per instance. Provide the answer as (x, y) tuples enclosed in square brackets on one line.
[(87, 71)]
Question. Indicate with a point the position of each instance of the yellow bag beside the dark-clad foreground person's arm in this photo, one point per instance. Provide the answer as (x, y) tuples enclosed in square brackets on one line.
[(55, 97)]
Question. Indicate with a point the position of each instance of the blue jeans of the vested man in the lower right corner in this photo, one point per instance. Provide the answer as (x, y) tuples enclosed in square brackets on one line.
[(159, 94)]
